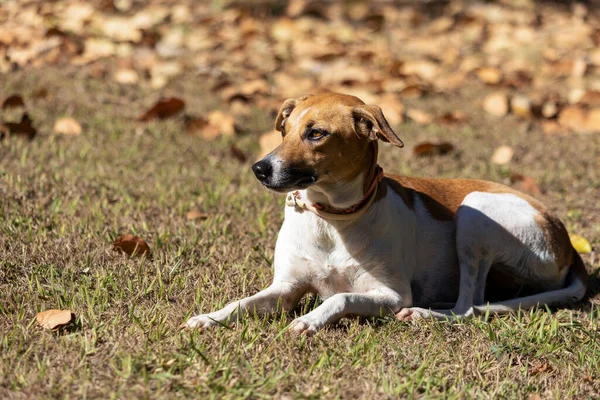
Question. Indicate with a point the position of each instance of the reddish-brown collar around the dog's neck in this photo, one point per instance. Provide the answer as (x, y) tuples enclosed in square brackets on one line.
[(293, 200)]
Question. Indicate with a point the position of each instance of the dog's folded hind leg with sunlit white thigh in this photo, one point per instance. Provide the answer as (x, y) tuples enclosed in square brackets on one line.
[(506, 230)]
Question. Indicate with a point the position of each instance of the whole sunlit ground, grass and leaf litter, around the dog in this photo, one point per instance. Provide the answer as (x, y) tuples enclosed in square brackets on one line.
[(65, 199)]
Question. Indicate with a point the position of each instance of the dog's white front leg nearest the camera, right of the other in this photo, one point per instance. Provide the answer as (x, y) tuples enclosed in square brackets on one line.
[(369, 304)]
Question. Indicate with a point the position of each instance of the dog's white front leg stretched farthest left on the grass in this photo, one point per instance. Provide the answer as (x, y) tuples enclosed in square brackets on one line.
[(263, 303)]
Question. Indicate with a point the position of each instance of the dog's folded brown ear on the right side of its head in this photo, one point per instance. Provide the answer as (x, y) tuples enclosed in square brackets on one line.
[(370, 122)]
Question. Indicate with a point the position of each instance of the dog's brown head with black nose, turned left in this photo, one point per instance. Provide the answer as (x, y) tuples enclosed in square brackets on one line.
[(326, 138)]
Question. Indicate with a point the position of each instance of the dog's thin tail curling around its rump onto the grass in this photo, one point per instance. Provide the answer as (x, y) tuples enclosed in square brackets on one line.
[(575, 287)]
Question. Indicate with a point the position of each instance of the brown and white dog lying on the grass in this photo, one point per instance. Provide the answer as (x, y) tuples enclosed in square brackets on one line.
[(371, 244)]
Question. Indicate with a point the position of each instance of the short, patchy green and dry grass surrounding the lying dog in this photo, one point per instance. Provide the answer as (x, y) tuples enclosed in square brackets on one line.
[(63, 200)]
